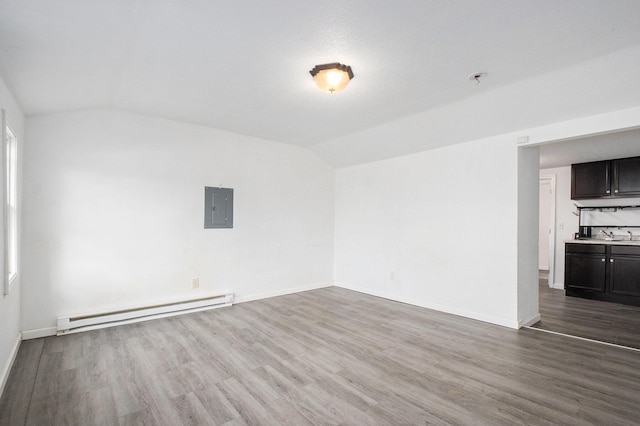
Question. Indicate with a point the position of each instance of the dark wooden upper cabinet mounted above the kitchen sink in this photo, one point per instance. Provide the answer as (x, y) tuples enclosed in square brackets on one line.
[(604, 179)]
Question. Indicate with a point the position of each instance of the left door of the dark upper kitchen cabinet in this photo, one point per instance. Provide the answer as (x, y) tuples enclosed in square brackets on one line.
[(590, 180)]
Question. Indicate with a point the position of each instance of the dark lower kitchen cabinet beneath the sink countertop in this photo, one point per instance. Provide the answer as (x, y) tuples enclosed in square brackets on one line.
[(603, 272)]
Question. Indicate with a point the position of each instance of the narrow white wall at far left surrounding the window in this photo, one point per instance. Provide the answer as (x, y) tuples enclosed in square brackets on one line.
[(10, 304)]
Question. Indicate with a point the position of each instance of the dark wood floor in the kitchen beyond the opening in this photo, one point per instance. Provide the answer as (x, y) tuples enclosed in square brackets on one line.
[(591, 319)]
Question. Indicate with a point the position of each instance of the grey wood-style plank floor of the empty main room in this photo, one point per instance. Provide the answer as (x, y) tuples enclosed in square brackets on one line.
[(328, 356)]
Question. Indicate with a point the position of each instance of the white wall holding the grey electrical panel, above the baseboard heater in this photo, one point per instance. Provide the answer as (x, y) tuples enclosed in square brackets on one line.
[(113, 215)]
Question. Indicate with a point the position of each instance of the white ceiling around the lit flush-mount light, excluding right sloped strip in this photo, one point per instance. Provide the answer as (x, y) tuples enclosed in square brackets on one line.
[(242, 66)]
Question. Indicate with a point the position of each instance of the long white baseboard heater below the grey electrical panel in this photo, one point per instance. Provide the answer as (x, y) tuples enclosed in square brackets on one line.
[(68, 325)]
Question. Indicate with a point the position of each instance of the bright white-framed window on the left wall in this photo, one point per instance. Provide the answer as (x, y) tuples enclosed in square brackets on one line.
[(10, 207)]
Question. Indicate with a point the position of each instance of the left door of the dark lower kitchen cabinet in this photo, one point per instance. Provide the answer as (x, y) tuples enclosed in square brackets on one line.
[(585, 271)]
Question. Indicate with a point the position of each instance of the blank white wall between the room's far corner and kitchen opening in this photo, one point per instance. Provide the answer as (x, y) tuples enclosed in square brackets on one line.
[(436, 229)]
